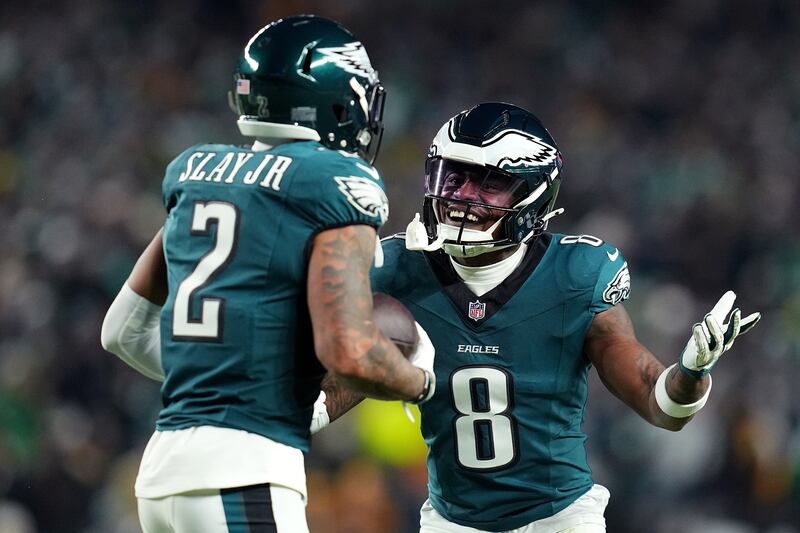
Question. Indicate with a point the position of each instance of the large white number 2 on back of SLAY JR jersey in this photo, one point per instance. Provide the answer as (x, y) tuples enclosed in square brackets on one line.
[(208, 326)]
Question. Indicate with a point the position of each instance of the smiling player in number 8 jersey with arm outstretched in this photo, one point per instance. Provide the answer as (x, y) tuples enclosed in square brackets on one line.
[(518, 316)]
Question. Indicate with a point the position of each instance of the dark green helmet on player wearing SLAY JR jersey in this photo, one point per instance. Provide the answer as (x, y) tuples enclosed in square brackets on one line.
[(307, 77)]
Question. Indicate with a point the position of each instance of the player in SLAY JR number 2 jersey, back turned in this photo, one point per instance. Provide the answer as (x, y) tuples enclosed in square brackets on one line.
[(259, 282)]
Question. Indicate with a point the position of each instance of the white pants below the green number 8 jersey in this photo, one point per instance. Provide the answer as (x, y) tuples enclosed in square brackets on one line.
[(584, 515)]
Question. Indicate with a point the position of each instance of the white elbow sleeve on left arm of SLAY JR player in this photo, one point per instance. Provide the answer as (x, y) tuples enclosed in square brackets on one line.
[(132, 331)]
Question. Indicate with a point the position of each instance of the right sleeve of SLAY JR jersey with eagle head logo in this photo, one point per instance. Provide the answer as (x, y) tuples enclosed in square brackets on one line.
[(336, 190)]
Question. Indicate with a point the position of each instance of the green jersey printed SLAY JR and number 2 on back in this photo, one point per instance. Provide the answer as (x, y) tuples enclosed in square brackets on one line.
[(237, 347)]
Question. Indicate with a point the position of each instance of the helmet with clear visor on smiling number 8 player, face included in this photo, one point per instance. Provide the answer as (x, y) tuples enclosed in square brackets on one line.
[(491, 180)]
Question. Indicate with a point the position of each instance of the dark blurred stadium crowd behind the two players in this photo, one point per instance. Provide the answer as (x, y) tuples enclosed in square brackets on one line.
[(680, 126)]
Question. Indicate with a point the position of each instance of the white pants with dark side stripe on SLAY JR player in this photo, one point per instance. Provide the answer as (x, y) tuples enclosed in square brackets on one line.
[(255, 509)]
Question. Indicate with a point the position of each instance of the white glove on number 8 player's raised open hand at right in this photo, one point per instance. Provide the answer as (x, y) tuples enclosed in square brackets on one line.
[(714, 336)]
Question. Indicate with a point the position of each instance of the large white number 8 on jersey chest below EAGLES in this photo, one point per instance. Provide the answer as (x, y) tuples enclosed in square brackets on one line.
[(485, 432)]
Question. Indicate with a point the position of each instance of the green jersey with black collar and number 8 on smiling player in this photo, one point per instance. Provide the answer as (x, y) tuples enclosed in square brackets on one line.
[(503, 429)]
